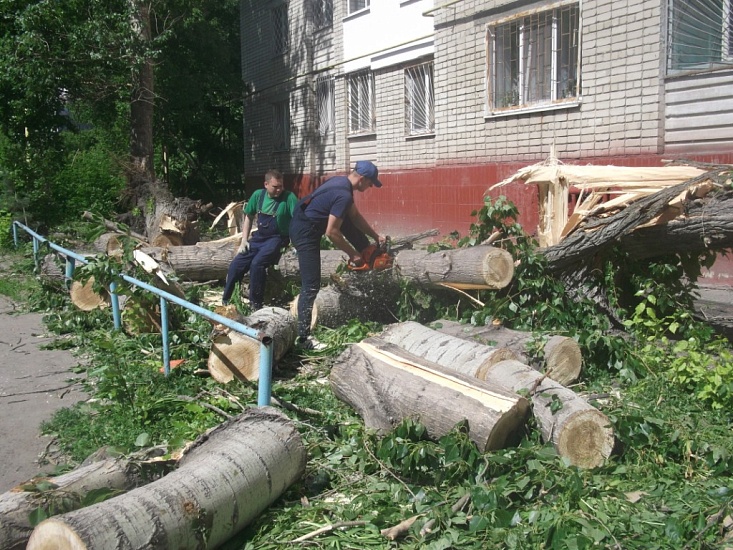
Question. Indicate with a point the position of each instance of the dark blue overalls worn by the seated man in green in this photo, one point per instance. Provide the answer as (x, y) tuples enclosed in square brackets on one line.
[(265, 249)]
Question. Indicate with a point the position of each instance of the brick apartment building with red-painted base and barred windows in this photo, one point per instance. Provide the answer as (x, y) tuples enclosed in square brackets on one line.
[(450, 97)]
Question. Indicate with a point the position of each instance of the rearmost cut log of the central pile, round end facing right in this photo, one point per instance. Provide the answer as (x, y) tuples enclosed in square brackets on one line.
[(562, 358)]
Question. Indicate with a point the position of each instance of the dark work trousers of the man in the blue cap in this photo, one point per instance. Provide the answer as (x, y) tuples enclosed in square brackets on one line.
[(305, 235)]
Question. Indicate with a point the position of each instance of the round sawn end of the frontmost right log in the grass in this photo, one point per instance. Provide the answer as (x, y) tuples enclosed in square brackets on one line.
[(587, 440)]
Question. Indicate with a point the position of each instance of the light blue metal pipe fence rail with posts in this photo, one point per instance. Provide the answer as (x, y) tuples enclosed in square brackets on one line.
[(264, 389)]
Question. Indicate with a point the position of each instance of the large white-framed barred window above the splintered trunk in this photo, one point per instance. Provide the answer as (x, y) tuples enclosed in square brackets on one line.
[(534, 59)]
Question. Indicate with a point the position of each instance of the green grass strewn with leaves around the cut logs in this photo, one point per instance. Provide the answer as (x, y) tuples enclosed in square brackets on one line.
[(668, 486)]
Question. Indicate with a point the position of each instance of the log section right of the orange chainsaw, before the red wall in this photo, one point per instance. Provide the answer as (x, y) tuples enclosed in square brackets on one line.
[(476, 267)]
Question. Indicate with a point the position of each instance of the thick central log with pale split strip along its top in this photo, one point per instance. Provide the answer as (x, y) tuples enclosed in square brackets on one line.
[(387, 385)]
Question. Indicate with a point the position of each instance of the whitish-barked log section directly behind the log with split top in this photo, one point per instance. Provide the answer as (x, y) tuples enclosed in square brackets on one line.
[(469, 358)]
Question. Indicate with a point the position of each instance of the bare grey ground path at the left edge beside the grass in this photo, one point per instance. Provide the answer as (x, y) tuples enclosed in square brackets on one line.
[(34, 383)]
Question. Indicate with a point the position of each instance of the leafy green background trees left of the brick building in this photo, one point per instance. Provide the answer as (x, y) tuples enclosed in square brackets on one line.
[(78, 82)]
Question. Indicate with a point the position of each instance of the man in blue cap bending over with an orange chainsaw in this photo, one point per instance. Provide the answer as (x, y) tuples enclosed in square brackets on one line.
[(330, 211)]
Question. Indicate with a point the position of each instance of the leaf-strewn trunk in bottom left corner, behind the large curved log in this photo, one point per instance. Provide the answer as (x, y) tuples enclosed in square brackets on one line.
[(17, 505)]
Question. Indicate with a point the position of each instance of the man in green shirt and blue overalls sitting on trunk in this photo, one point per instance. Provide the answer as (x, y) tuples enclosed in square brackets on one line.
[(273, 206)]
